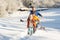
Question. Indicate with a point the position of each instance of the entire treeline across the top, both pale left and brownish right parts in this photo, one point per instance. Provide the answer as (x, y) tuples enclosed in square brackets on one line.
[(7, 6)]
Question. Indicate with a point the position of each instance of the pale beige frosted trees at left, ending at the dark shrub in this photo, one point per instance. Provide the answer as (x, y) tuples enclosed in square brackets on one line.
[(7, 6)]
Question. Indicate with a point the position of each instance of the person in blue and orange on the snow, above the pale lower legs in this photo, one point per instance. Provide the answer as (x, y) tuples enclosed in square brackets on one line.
[(33, 18)]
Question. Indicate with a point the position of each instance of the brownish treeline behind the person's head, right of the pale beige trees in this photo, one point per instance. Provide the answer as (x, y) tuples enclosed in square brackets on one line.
[(42, 3)]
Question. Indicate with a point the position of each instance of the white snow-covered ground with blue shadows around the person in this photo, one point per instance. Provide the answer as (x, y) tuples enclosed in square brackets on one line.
[(12, 29)]
